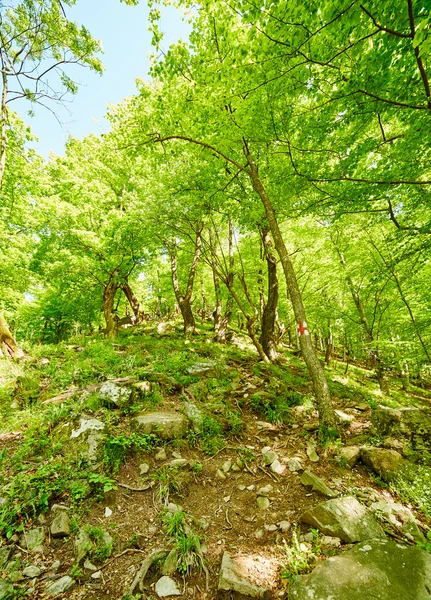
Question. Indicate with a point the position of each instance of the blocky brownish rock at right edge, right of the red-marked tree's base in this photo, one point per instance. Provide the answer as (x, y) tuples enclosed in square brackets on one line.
[(412, 424)]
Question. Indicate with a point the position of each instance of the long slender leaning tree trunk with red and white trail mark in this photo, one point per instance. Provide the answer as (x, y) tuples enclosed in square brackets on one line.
[(320, 386)]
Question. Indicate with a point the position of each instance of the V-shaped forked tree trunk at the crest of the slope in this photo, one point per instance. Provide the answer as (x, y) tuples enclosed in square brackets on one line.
[(184, 300)]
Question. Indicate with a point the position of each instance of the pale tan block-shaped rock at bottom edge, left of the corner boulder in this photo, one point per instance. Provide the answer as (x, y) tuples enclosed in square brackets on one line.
[(247, 576)]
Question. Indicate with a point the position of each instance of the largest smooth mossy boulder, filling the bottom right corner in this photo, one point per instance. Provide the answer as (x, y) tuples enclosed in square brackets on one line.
[(379, 569)]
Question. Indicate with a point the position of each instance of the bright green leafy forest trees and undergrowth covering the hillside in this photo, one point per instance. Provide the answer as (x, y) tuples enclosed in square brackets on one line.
[(267, 190)]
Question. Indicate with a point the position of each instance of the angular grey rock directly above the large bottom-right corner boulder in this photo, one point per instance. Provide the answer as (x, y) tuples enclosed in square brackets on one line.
[(345, 518)]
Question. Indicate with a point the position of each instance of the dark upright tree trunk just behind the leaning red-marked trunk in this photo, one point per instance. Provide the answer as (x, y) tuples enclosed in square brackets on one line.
[(269, 313)]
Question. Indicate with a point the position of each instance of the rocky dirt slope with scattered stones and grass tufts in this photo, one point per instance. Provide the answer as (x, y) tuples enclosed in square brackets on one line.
[(223, 492)]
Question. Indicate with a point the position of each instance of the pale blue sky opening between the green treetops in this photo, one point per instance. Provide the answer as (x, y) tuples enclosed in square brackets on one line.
[(126, 42)]
